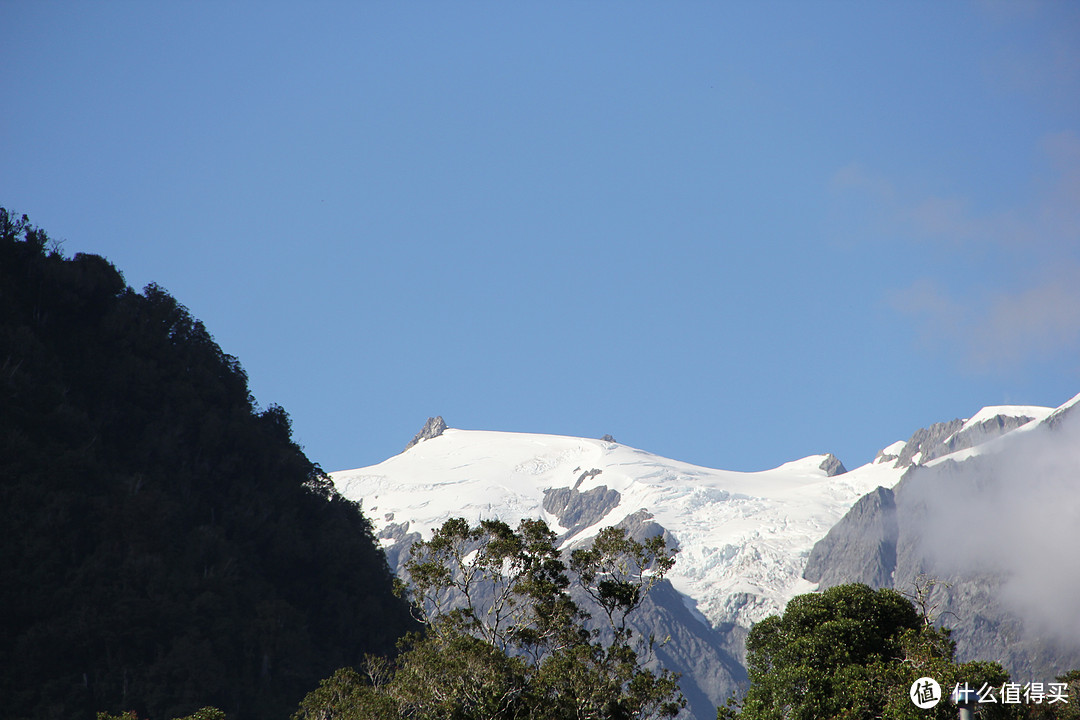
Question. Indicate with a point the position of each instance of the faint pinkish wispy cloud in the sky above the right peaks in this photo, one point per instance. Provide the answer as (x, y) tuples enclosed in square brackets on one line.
[(1033, 317)]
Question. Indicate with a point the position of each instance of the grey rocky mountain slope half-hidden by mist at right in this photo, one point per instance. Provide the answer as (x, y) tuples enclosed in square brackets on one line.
[(961, 529)]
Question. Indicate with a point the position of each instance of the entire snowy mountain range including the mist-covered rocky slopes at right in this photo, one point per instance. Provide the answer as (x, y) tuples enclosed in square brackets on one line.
[(984, 507)]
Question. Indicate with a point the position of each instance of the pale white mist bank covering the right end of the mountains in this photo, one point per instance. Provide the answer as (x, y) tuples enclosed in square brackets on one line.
[(1015, 512)]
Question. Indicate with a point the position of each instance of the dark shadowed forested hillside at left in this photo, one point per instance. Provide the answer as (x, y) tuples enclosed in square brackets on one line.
[(165, 546)]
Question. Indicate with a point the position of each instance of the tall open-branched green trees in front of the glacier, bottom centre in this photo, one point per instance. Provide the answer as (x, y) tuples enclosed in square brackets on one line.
[(505, 639)]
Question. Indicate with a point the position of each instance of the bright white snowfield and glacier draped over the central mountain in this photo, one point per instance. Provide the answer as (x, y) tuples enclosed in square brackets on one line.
[(744, 537)]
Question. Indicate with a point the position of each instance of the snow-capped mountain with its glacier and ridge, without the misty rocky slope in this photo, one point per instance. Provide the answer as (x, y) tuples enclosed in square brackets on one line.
[(744, 538)]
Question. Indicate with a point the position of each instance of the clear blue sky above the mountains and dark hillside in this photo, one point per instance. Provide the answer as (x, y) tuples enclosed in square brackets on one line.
[(731, 234)]
